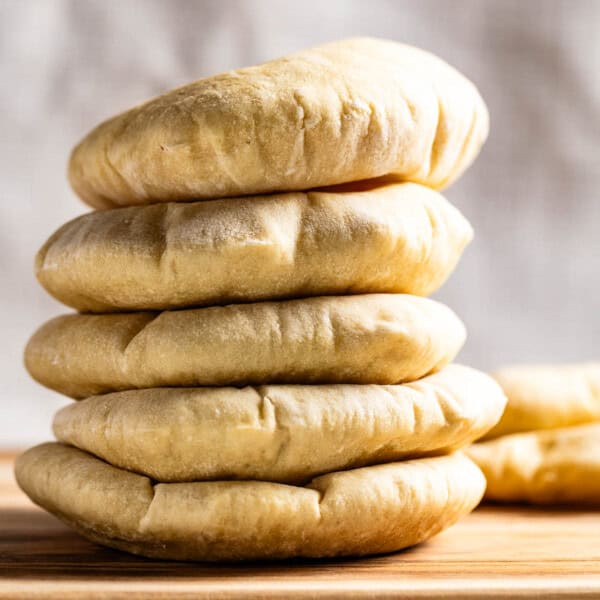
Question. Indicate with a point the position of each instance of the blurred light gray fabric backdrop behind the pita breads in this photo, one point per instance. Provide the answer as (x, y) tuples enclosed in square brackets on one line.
[(528, 287)]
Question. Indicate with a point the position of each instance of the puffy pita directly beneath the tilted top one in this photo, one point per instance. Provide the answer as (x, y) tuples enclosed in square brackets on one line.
[(401, 238)]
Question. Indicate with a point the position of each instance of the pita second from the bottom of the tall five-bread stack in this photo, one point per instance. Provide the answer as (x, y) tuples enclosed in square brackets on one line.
[(284, 433)]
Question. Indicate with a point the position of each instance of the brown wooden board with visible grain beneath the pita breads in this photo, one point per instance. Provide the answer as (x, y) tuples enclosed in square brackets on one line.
[(493, 553)]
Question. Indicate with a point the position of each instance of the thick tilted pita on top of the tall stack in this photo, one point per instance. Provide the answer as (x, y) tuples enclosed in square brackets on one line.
[(347, 111)]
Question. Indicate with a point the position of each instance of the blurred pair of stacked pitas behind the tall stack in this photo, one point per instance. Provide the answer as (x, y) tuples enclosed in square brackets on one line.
[(546, 447)]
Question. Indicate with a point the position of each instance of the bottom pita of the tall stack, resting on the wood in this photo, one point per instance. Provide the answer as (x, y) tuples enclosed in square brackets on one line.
[(362, 511)]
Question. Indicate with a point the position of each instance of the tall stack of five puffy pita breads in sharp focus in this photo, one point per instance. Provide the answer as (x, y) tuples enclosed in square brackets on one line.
[(259, 373)]
